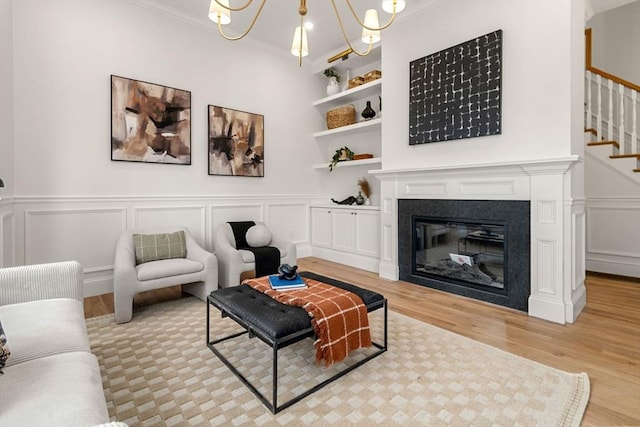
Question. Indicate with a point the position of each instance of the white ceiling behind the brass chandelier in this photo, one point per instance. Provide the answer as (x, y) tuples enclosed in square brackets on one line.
[(275, 26)]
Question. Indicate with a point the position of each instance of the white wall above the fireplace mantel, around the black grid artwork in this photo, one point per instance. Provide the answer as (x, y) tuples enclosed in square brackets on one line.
[(536, 42)]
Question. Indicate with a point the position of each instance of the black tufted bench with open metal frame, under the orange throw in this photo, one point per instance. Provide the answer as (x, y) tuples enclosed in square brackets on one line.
[(280, 325)]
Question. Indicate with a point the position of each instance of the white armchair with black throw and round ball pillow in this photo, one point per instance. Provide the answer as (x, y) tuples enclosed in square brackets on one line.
[(233, 262)]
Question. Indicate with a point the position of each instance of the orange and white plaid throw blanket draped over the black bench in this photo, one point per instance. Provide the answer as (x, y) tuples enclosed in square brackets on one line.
[(339, 317)]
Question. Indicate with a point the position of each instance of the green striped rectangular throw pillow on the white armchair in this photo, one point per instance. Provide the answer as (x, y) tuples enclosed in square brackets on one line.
[(153, 247)]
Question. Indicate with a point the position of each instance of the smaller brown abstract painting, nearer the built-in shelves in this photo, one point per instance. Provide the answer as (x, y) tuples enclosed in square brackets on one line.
[(236, 142)]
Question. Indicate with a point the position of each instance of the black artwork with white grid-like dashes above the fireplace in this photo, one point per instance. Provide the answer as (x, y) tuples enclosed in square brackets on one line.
[(456, 93)]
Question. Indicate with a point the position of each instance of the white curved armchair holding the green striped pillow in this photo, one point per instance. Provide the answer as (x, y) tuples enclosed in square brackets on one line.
[(197, 272)]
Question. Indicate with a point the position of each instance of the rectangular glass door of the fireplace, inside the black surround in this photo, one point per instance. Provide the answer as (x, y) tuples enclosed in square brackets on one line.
[(461, 252)]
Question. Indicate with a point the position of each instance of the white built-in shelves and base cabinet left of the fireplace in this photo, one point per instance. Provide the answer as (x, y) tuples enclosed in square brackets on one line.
[(350, 234)]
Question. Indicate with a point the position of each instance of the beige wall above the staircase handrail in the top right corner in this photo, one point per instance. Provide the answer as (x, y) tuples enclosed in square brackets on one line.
[(616, 41)]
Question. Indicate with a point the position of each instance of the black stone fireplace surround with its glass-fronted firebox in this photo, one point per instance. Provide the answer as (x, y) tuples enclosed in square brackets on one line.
[(475, 248)]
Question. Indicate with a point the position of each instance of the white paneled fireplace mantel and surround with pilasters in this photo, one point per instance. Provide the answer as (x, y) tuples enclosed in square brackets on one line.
[(557, 221)]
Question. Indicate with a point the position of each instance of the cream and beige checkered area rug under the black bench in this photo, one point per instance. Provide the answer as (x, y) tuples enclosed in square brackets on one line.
[(158, 371)]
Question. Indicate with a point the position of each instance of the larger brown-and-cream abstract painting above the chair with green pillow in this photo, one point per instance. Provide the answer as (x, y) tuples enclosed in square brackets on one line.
[(149, 122)]
